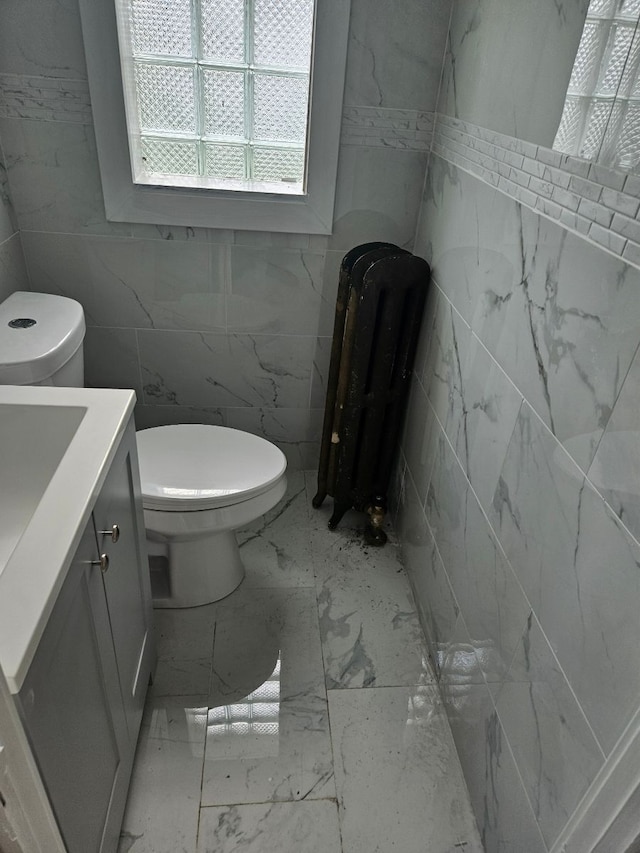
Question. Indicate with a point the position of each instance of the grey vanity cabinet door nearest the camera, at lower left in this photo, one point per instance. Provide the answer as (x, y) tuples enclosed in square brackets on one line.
[(73, 712)]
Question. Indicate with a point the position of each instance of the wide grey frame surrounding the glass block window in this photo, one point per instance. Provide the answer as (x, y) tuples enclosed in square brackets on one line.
[(311, 213)]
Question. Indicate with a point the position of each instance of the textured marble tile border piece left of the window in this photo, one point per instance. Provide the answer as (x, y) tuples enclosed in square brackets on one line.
[(44, 98)]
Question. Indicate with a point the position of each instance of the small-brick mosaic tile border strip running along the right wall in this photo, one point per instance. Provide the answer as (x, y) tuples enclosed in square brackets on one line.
[(601, 204)]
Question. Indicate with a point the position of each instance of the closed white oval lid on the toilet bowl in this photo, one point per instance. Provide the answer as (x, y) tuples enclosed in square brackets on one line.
[(195, 466)]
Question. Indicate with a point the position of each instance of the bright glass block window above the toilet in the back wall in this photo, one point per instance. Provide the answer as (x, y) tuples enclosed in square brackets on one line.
[(217, 91)]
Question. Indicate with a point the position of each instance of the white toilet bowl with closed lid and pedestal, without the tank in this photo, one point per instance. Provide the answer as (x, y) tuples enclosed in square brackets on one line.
[(199, 484)]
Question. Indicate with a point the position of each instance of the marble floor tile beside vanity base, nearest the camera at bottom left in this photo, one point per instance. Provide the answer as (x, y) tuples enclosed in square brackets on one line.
[(164, 795)]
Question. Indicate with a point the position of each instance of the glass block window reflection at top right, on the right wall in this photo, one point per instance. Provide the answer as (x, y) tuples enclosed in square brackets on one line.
[(603, 98)]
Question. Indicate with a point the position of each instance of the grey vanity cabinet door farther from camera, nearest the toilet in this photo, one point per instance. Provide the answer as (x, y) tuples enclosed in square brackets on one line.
[(126, 581)]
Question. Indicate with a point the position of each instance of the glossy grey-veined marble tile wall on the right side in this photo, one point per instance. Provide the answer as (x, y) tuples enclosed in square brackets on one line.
[(517, 487)]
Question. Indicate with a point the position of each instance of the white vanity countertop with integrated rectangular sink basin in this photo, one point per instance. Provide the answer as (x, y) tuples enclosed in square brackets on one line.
[(56, 448)]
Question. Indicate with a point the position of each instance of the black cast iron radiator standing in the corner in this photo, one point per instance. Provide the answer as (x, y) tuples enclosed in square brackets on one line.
[(381, 295)]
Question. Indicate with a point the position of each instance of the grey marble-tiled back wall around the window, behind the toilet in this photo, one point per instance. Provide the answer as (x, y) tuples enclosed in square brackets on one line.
[(212, 325)]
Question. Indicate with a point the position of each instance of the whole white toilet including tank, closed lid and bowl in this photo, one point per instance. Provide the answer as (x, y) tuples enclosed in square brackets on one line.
[(199, 483)]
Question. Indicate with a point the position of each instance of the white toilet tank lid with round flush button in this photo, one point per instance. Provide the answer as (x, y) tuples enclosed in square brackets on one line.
[(33, 351)]
